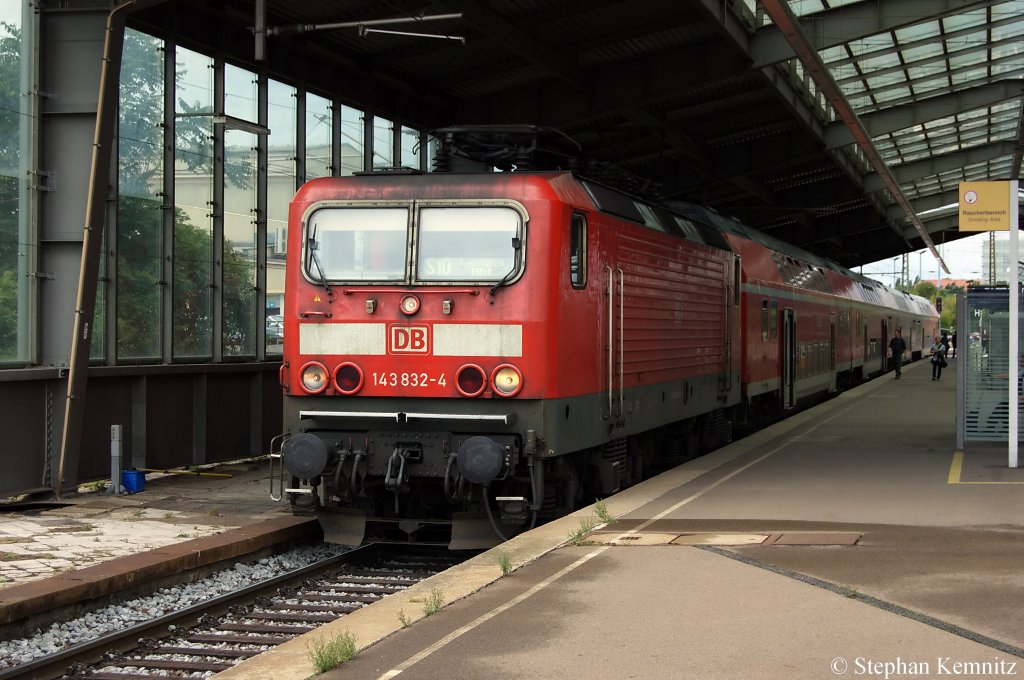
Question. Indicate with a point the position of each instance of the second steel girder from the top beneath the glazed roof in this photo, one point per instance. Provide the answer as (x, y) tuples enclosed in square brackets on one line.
[(924, 111)]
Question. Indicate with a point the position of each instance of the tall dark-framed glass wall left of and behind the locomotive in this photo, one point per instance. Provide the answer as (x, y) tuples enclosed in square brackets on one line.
[(192, 271)]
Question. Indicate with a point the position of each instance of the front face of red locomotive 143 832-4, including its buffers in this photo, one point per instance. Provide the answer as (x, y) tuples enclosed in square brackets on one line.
[(406, 375)]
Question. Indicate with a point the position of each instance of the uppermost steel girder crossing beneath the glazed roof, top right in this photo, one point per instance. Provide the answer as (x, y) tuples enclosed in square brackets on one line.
[(843, 25)]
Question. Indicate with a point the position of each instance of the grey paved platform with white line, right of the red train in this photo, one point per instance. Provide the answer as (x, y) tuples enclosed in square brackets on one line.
[(850, 540)]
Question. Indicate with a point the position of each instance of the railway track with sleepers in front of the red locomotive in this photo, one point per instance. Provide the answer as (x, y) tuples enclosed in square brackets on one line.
[(208, 639)]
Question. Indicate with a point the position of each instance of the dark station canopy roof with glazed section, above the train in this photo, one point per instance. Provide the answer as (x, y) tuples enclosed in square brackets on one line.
[(841, 126)]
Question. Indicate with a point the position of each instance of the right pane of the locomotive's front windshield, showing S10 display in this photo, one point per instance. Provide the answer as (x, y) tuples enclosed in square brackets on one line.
[(468, 244)]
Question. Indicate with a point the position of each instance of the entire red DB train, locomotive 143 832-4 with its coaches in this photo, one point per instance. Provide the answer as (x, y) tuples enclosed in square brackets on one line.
[(465, 354)]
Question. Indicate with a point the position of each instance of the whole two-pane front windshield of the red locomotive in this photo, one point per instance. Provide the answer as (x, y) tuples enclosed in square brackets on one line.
[(473, 244)]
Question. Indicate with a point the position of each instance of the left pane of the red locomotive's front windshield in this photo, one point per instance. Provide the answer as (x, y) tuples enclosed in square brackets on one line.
[(357, 244)]
